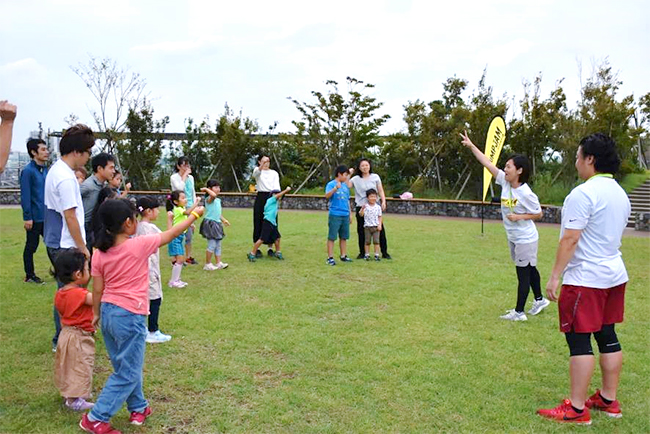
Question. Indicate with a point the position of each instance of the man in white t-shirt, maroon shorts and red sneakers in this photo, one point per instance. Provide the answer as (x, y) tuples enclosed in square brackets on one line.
[(594, 278)]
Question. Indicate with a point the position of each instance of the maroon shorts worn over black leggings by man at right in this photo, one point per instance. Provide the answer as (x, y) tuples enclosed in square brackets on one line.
[(586, 310)]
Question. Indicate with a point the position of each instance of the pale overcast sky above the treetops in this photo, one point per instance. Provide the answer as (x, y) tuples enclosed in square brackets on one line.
[(198, 55)]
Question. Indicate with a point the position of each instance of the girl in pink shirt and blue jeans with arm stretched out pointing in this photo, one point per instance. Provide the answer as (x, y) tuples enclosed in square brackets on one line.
[(120, 271)]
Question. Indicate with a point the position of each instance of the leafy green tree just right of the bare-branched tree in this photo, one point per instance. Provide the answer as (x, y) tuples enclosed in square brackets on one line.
[(141, 152)]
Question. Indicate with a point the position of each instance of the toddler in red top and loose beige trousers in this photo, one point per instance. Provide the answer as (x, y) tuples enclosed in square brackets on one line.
[(75, 353)]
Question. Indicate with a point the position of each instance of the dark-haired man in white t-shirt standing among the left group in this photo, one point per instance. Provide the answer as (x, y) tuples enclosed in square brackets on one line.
[(64, 212)]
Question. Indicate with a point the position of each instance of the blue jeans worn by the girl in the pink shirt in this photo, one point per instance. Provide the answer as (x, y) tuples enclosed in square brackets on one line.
[(124, 333)]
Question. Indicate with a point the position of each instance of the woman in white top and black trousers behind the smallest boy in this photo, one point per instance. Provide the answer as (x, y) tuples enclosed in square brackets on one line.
[(362, 181)]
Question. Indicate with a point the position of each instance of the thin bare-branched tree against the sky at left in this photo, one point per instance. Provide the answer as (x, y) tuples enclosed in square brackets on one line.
[(117, 90)]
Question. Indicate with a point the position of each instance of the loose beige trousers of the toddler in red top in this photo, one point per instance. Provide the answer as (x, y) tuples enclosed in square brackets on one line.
[(74, 362)]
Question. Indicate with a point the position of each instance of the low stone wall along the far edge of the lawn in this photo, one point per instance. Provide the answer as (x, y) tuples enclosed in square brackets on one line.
[(430, 207)]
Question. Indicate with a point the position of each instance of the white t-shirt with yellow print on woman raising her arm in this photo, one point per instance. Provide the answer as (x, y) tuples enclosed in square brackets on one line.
[(520, 200)]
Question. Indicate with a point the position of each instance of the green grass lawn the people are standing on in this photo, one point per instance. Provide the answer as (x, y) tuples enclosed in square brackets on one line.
[(408, 345)]
